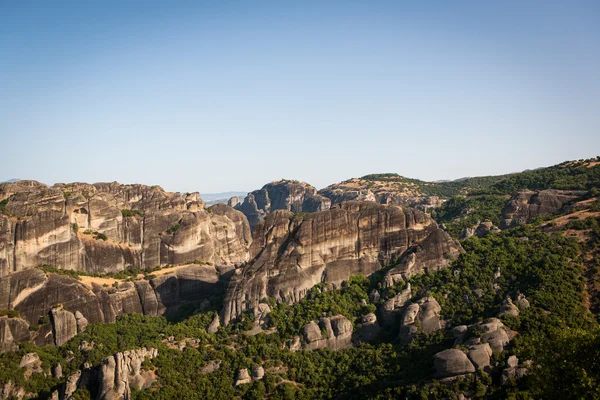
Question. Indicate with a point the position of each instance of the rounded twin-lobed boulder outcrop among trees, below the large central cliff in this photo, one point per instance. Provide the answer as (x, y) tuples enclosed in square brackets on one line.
[(334, 333)]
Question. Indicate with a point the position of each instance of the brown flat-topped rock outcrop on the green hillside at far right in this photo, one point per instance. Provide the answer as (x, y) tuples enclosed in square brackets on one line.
[(527, 205)]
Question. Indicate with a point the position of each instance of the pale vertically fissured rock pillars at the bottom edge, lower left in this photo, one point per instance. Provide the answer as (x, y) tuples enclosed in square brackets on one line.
[(122, 371)]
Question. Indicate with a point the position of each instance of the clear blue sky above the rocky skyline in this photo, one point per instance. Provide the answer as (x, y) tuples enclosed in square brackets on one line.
[(228, 95)]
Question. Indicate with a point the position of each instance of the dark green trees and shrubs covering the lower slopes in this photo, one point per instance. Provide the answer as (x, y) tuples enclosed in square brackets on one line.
[(557, 333)]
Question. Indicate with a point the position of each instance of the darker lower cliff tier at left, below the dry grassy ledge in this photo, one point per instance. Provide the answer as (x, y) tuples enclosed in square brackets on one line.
[(72, 304)]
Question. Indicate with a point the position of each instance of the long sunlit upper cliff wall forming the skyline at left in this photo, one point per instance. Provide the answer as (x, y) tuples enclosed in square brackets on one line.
[(108, 227)]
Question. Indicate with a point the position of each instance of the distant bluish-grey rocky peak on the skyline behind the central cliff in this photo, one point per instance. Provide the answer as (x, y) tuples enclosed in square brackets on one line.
[(292, 196)]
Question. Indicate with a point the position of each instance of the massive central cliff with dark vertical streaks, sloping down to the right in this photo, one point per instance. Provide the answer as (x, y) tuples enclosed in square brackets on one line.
[(291, 254)]
